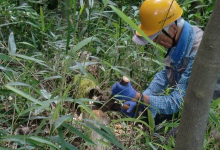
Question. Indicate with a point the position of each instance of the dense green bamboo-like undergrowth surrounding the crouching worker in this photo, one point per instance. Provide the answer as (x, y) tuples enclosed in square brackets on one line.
[(50, 59)]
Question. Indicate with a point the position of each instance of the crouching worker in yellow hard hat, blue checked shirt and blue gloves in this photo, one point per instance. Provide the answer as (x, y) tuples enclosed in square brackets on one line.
[(161, 21)]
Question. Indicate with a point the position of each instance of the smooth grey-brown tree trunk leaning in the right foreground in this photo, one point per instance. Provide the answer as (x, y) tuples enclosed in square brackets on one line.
[(205, 72)]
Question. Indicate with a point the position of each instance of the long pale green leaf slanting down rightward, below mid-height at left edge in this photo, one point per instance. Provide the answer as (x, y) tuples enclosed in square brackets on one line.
[(25, 95)]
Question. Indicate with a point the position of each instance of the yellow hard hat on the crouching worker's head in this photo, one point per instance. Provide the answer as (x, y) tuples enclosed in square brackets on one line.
[(156, 14)]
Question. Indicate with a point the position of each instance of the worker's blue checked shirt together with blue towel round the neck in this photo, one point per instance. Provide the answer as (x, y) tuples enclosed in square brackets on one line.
[(169, 104)]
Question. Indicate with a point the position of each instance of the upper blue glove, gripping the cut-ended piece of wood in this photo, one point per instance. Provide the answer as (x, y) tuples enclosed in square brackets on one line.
[(125, 92)]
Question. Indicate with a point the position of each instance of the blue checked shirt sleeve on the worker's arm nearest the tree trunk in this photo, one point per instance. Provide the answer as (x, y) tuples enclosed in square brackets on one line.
[(171, 103)]
